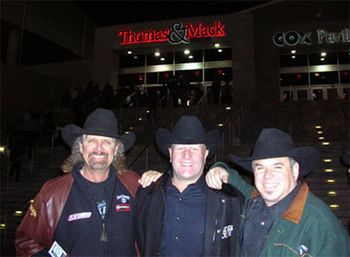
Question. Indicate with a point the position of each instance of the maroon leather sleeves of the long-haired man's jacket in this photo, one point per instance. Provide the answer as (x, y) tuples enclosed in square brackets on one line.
[(38, 225)]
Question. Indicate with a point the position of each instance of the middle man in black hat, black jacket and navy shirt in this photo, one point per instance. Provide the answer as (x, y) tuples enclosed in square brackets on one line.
[(179, 215)]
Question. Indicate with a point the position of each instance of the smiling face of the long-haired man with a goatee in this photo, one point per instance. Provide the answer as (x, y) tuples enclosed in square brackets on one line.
[(98, 152)]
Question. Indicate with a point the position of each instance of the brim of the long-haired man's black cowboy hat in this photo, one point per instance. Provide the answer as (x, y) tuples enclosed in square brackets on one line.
[(70, 133)]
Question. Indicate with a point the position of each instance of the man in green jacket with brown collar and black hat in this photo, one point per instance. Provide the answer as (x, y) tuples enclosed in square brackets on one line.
[(282, 217)]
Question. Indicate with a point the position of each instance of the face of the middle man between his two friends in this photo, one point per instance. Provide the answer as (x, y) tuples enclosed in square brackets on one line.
[(188, 161)]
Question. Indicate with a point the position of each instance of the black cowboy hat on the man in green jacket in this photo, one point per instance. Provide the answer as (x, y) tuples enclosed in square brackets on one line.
[(274, 143)]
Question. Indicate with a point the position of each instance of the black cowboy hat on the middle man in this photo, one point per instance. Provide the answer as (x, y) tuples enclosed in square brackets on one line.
[(187, 130)]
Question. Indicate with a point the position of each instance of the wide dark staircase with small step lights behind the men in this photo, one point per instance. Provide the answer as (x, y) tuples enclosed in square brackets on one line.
[(239, 132)]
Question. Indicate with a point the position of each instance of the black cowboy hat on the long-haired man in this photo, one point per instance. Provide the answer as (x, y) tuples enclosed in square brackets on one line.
[(101, 122)]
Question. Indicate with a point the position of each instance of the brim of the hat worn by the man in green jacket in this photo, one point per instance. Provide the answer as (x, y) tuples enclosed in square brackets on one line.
[(307, 157)]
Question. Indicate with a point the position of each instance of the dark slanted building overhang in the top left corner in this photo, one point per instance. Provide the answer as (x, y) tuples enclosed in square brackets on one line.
[(58, 21)]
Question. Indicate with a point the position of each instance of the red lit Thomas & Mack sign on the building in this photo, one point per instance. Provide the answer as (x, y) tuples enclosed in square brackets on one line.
[(178, 33)]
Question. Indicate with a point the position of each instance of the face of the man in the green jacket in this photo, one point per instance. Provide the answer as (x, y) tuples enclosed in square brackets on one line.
[(275, 178)]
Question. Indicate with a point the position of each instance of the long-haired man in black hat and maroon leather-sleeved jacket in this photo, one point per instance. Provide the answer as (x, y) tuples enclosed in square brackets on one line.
[(89, 211)]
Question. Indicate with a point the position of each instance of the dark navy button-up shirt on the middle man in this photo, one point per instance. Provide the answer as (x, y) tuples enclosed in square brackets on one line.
[(183, 231)]
